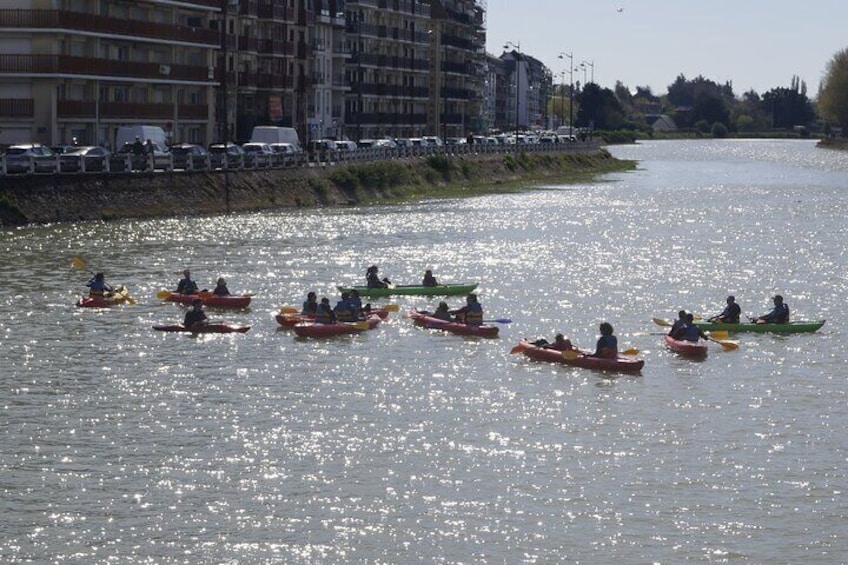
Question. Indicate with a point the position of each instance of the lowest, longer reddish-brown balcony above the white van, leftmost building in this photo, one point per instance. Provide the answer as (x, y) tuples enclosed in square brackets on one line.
[(78, 109)]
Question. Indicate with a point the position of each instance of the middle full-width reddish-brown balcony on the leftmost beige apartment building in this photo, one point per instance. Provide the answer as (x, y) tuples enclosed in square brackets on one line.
[(103, 68)]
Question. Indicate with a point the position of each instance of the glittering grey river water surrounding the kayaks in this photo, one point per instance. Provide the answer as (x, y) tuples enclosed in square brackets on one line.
[(121, 444)]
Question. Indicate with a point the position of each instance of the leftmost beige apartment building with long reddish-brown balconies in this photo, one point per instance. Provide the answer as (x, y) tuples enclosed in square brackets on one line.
[(77, 69)]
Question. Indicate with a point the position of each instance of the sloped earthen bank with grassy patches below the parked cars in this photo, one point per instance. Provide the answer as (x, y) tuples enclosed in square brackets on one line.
[(64, 198)]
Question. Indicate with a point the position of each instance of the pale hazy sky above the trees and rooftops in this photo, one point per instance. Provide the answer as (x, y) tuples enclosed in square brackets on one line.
[(755, 44)]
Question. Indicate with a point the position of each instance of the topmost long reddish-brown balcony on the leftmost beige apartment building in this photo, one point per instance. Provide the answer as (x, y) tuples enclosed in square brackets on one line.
[(50, 20)]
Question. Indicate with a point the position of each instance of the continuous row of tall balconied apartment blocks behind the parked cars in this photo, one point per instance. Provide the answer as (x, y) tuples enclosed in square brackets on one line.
[(210, 70)]
